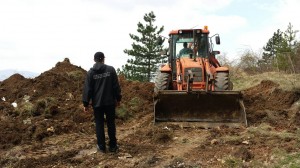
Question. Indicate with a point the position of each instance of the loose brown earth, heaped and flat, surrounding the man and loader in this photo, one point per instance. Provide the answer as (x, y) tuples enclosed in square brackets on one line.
[(49, 129)]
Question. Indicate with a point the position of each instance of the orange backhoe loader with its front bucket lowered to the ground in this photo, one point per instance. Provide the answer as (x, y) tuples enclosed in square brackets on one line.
[(193, 86)]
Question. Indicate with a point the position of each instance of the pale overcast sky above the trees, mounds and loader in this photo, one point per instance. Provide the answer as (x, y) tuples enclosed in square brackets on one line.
[(36, 34)]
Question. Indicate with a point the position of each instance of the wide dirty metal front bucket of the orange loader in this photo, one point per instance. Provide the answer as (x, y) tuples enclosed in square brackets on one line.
[(212, 108)]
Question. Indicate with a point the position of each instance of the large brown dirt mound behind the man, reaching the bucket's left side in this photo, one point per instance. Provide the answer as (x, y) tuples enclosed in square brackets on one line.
[(50, 104)]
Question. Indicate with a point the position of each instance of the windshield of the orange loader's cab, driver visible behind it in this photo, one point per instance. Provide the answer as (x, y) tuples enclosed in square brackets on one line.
[(184, 45)]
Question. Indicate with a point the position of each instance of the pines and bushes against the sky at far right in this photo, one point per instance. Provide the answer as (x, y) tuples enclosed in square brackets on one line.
[(281, 53)]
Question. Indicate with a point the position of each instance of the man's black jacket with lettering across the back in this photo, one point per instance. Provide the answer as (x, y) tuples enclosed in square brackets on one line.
[(101, 86)]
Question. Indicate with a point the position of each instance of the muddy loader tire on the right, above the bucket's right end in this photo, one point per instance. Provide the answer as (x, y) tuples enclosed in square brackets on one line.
[(222, 81)]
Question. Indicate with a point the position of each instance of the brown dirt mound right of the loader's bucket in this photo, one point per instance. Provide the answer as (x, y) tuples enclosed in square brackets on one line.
[(267, 103)]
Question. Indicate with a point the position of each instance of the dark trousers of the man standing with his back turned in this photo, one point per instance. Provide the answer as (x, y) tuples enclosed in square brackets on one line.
[(110, 114)]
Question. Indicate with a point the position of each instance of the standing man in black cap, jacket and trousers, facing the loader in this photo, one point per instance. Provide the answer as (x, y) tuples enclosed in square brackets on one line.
[(102, 87)]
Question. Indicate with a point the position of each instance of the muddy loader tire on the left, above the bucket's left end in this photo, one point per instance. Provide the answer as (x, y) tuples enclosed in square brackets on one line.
[(162, 81)]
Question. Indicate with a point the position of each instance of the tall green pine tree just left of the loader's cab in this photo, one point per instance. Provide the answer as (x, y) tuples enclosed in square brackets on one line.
[(145, 52)]
